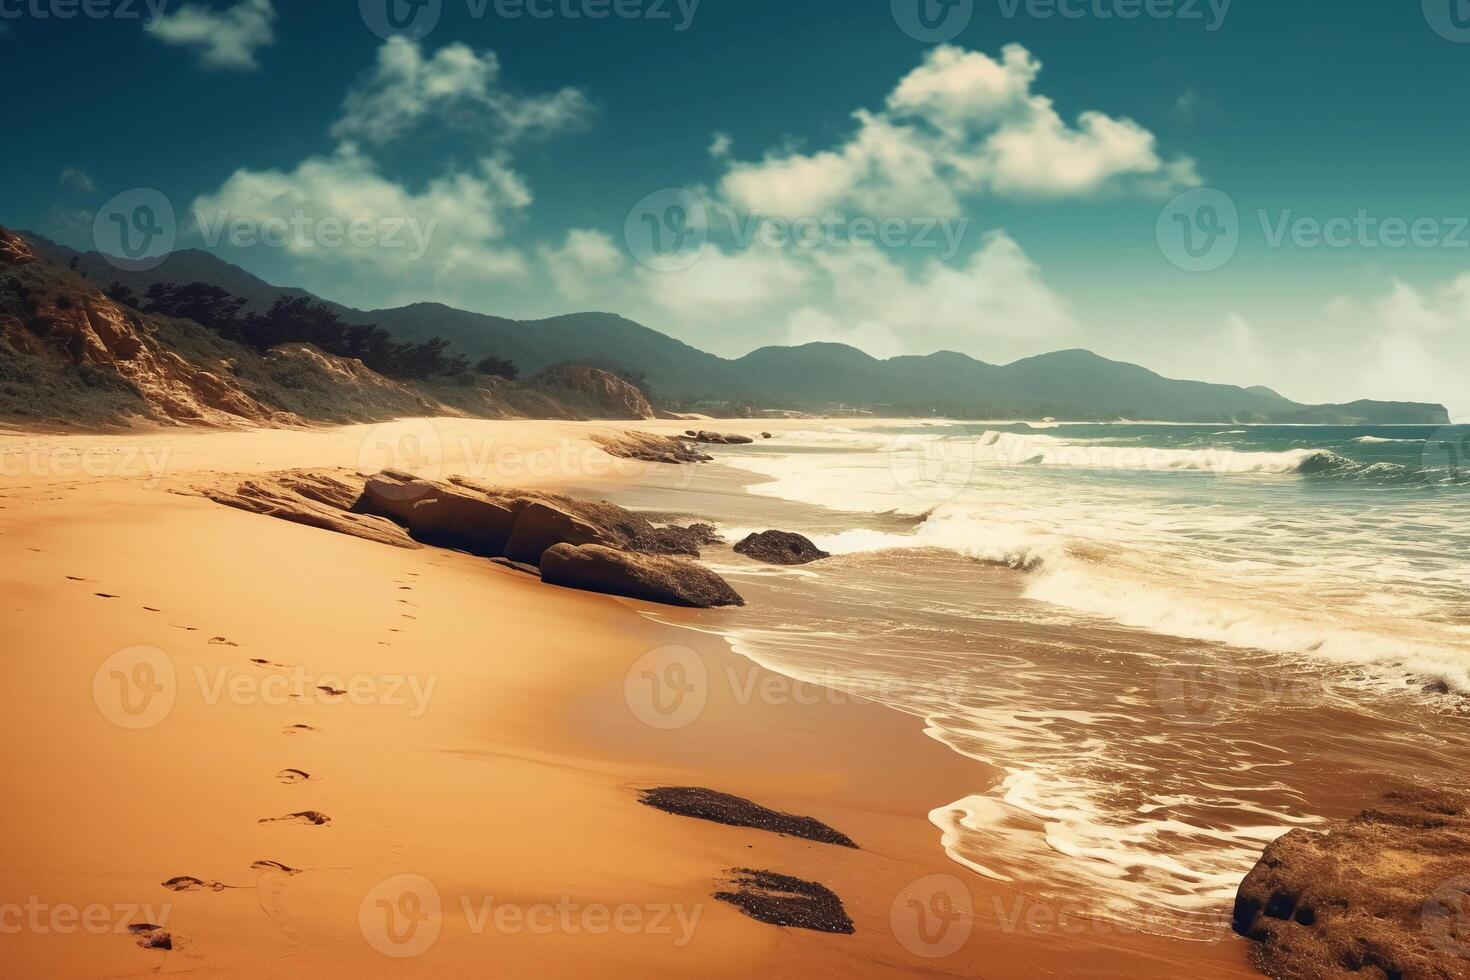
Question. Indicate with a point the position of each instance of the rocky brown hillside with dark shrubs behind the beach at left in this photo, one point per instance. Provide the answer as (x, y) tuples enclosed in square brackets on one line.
[(73, 356)]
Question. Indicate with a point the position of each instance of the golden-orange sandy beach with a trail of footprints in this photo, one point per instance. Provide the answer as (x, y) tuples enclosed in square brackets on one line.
[(514, 788)]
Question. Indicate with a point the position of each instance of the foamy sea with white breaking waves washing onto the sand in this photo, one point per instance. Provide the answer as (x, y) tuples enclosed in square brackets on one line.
[(1168, 644)]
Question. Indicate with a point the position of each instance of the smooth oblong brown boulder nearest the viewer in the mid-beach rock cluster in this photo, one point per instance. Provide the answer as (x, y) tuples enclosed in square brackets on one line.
[(637, 577)]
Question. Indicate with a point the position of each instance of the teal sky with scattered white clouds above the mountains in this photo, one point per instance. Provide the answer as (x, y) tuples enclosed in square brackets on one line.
[(1244, 192)]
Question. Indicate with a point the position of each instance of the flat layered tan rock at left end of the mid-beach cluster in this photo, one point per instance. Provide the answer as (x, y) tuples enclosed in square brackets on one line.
[(312, 500)]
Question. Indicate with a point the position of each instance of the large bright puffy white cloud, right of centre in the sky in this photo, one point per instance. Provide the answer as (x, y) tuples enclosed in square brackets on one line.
[(959, 126)]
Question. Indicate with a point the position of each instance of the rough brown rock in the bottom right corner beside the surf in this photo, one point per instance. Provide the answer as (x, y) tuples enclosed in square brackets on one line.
[(1385, 894)]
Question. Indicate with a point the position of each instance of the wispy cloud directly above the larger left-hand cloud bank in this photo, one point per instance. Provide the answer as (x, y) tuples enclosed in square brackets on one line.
[(455, 87)]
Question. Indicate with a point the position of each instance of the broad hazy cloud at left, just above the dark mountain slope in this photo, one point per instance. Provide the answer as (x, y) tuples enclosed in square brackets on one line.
[(449, 230)]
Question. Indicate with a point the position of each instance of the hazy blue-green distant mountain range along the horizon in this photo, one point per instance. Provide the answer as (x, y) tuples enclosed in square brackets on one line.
[(1072, 384)]
